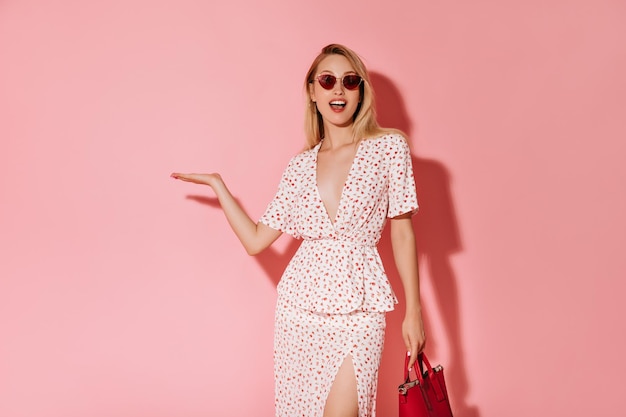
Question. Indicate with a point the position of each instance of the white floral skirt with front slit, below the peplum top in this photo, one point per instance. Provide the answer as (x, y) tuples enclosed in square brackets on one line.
[(310, 347)]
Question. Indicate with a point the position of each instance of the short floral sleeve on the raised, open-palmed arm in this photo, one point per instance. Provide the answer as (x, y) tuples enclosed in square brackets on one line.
[(279, 212)]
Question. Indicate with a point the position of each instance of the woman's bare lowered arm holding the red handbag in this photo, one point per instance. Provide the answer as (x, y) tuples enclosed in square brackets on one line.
[(405, 256)]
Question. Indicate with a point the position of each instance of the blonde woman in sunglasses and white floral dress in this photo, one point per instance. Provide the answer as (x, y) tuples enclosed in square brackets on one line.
[(336, 196)]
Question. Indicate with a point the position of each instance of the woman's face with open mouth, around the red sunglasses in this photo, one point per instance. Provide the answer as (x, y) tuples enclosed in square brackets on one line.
[(337, 104)]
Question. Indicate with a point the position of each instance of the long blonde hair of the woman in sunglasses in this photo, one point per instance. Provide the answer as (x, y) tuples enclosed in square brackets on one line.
[(364, 123)]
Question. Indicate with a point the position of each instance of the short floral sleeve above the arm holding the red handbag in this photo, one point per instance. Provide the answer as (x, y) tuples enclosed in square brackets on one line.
[(402, 194)]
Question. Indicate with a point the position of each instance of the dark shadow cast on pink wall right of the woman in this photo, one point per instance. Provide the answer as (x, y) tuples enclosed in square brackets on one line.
[(438, 239)]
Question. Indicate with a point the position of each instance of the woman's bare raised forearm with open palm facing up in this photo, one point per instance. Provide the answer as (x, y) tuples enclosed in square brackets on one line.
[(255, 237)]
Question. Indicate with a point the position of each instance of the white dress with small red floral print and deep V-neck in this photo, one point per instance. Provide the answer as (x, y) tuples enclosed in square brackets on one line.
[(334, 293)]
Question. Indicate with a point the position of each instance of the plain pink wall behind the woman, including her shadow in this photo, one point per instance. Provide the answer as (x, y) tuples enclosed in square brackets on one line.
[(124, 293)]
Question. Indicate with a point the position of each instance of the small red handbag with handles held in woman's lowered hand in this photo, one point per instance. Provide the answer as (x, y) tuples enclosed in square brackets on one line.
[(425, 396)]
